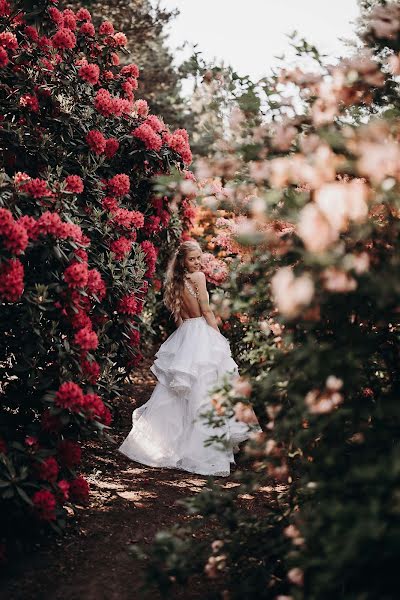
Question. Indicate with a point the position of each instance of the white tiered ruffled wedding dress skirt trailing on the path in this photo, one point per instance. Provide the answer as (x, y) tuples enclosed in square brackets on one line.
[(168, 431)]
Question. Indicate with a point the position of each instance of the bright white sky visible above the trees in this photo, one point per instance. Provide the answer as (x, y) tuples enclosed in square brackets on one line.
[(248, 35)]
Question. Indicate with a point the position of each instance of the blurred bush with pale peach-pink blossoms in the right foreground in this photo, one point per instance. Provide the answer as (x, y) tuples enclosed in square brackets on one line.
[(319, 293)]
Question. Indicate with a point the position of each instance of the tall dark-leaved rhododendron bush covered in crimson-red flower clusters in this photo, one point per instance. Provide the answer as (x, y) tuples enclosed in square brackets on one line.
[(80, 231)]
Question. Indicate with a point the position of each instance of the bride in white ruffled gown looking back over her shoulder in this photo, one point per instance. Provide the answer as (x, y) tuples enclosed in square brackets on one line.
[(168, 430)]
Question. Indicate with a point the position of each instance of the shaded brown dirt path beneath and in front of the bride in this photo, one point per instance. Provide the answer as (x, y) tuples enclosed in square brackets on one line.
[(129, 504)]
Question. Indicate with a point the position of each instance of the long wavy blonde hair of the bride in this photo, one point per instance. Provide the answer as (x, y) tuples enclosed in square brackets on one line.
[(174, 281)]
